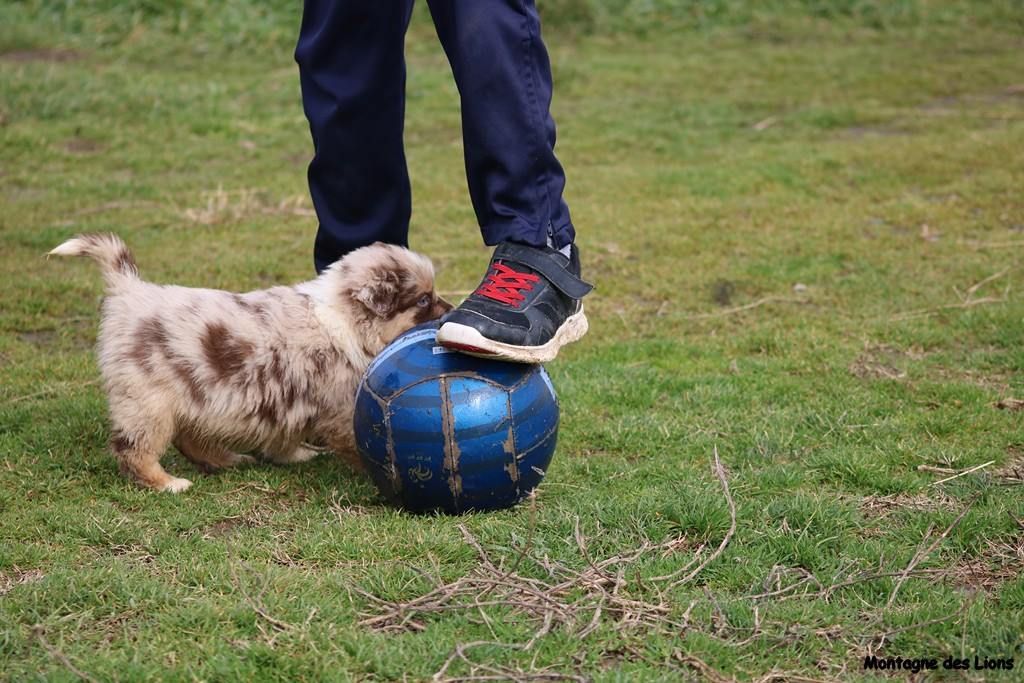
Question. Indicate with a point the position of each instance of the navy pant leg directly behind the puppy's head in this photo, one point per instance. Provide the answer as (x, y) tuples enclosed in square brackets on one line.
[(353, 71)]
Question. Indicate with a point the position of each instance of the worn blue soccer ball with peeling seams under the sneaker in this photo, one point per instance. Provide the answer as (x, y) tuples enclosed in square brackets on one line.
[(445, 432)]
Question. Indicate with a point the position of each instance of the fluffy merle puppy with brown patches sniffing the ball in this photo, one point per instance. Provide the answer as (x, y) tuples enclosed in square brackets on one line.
[(216, 373)]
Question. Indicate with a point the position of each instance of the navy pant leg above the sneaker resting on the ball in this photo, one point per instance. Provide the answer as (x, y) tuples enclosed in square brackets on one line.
[(504, 77)]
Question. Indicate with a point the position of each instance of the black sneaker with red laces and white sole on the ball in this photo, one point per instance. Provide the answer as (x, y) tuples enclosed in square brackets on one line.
[(526, 310)]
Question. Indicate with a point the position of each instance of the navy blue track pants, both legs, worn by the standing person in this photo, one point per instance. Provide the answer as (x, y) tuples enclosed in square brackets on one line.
[(353, 70)]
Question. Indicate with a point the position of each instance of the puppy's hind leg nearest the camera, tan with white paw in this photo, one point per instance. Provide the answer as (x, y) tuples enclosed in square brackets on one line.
[(139, 444)]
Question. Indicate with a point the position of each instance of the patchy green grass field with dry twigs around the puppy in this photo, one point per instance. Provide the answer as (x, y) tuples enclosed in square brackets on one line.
[(806, 230)]
